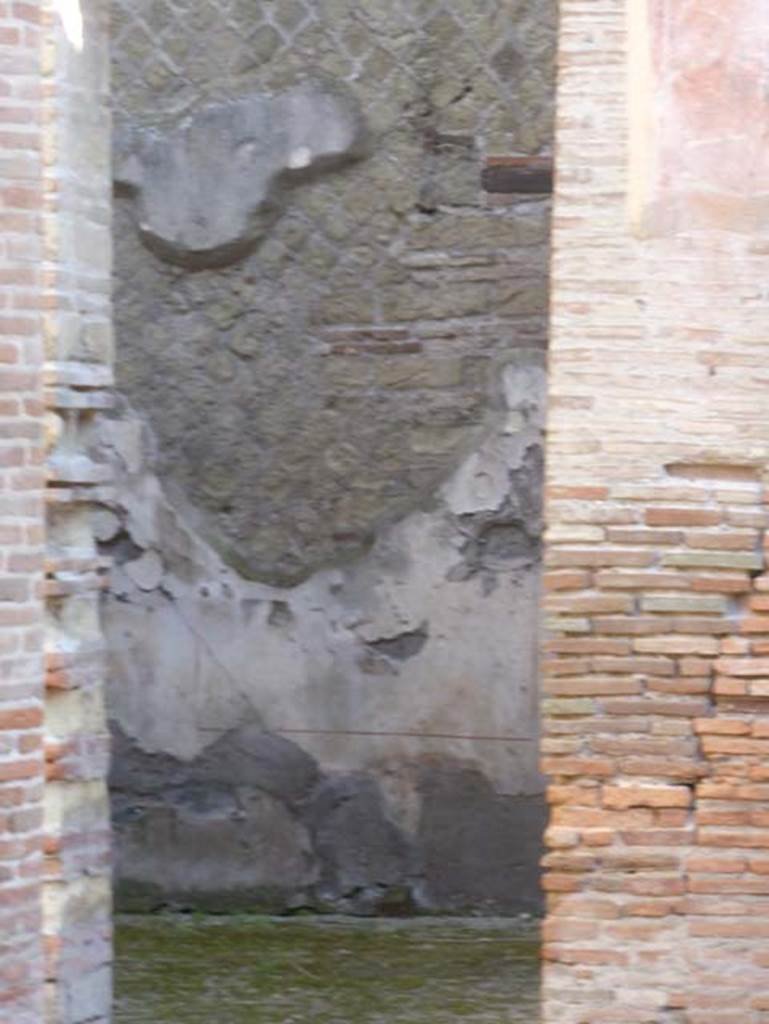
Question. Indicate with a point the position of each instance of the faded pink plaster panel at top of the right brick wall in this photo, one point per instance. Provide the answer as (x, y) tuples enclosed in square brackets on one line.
[(711, 61)]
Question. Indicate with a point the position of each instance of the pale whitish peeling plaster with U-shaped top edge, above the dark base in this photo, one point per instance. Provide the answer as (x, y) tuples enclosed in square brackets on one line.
[(389, 664)]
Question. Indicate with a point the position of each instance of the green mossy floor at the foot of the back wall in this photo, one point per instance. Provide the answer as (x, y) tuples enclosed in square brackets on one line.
[(187, 970)]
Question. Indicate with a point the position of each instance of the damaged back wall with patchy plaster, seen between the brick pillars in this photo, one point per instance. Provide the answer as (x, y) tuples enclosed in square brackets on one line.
[(324, 614)]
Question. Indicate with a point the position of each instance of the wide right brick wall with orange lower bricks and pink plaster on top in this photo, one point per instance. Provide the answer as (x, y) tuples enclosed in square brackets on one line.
[(657, 672)]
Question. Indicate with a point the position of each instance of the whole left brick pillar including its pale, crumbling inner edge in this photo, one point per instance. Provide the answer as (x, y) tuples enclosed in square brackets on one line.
[(55, 353)]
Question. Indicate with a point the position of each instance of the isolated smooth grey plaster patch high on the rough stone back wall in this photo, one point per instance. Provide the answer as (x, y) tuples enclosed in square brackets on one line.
[(208, 190)]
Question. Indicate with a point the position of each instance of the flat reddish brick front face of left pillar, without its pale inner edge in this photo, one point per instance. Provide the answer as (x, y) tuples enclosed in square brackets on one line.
[(22, 482)]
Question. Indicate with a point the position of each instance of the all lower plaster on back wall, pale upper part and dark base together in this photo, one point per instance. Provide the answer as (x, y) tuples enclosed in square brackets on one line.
[(325, 700)]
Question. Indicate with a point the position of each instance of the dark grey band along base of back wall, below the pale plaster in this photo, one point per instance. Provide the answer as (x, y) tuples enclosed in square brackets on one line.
[(253, 824)]
